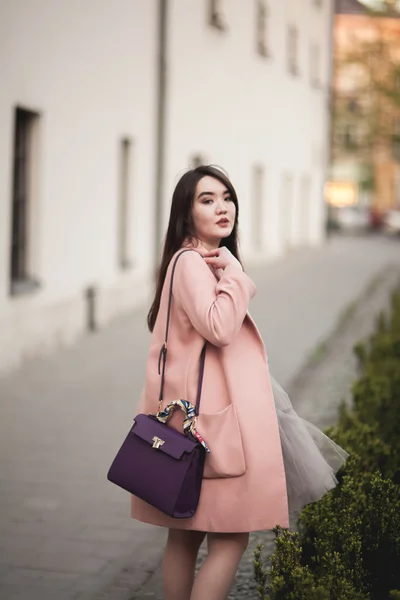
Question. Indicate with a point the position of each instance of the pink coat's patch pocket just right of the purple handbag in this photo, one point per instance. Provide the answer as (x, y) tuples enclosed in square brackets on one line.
[(222, 433)]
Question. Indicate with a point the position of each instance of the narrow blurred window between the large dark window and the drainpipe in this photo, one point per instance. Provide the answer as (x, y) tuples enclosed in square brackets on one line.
[(124, 216)]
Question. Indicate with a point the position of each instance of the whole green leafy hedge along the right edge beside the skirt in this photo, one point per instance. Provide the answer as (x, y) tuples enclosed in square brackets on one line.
[(348, 544)]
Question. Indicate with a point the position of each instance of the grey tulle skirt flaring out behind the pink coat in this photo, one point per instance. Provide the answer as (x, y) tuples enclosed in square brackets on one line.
[(311, 459)]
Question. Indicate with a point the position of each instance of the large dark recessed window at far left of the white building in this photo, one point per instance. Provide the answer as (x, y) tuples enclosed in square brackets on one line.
[(25, 134)]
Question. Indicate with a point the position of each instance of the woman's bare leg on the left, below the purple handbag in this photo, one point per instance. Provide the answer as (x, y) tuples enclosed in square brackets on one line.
[(179, 563)]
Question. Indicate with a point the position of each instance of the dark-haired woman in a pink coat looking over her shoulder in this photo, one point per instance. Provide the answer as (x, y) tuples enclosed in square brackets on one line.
[(211, 295)]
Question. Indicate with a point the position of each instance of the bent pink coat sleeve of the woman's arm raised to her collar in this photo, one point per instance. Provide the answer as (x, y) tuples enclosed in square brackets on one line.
[(216, 309)]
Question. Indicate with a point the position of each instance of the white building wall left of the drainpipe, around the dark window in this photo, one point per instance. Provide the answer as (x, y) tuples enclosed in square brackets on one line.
[(89, 69)]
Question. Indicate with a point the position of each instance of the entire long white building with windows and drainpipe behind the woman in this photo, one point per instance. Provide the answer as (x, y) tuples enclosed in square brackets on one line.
[(103, 106)]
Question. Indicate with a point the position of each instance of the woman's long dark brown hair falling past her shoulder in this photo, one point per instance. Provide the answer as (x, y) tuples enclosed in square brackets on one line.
[(181, 227)]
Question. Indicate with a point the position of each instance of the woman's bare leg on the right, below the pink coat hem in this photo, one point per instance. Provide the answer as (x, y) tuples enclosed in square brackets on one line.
[(216, 574)]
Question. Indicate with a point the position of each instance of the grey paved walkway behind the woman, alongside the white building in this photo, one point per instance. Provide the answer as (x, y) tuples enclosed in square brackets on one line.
[(65, 532)]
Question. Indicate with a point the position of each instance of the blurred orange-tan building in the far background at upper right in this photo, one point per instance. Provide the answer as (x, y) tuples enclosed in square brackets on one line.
[(365, 169)]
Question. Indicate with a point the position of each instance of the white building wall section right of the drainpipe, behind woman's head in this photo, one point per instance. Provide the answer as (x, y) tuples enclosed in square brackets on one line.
[(239, 109)]
